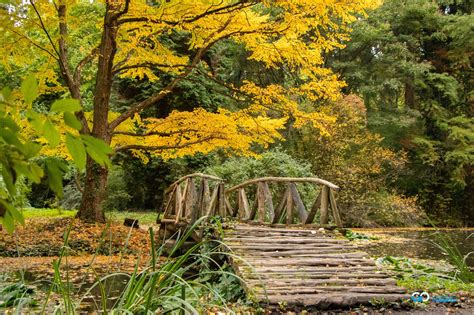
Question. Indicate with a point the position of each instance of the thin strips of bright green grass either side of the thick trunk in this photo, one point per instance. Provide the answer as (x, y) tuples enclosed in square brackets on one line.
[(143, 217)]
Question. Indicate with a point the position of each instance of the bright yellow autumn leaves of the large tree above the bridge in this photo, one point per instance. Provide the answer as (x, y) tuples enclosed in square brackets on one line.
[(291, 33)]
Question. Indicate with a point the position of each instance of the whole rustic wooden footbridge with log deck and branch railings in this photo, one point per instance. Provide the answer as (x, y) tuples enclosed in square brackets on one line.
[(288, 254)]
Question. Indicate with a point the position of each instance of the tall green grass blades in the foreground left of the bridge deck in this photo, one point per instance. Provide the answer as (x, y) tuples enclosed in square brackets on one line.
[(168, 283)]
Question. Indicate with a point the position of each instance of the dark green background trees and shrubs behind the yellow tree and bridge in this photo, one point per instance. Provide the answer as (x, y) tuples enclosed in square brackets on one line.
[(402, 147)]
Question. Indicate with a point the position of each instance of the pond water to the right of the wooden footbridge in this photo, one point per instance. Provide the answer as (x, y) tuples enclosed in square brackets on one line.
[(417, 243)]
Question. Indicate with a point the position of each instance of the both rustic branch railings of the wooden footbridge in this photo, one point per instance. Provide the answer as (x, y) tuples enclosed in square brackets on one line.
[(197, 195)]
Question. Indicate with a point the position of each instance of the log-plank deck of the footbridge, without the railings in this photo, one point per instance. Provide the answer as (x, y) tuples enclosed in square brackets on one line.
[(306, 267)]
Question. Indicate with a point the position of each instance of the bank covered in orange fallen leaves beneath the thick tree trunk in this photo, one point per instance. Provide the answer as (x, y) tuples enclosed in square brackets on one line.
[(45, 237)]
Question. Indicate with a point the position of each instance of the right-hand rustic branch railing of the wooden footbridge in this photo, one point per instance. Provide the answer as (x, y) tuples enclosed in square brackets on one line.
[(291, 208)]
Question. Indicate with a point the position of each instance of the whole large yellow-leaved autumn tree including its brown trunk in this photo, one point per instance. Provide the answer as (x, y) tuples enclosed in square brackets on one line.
[(80, 48)]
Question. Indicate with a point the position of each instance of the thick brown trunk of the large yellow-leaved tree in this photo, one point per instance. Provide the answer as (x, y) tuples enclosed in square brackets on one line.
[(96, 176)]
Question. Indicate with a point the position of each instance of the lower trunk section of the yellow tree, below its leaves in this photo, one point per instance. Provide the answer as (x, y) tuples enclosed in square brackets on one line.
[(94, 193)]
